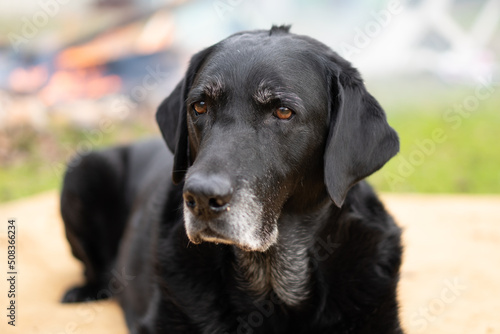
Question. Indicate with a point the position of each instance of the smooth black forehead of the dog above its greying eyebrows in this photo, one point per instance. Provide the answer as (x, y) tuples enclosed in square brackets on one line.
[(250, 61)]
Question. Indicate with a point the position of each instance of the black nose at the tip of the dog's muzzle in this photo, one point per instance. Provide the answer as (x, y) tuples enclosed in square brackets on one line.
[(207, 196)]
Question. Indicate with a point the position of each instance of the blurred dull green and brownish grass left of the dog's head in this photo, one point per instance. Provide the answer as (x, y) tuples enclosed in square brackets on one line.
[(39, 161)]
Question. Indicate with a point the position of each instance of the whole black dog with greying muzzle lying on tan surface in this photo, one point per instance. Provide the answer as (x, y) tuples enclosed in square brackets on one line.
[(265, 228)]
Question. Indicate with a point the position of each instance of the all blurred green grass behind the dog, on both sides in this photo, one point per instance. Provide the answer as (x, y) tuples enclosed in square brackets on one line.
[(467, 161)]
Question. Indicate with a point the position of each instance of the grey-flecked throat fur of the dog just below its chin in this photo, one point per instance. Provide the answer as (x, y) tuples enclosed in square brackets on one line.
[(286, 267)]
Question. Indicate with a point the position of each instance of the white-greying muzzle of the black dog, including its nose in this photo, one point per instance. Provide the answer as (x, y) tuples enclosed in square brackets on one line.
[(217, 211)]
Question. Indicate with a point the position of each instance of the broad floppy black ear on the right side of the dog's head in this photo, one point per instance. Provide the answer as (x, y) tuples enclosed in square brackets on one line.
[(360, 140)]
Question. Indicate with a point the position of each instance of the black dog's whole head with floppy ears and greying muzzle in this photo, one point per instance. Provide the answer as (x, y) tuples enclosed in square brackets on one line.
[(267, 122)]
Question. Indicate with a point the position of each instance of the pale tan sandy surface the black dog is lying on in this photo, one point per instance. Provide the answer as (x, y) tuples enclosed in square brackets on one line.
[(450, 277)]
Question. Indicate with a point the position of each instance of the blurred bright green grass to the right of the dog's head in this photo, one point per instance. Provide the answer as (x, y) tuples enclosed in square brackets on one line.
[(465, 160)]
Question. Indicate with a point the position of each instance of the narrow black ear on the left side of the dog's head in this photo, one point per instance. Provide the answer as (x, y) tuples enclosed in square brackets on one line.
[(171, 117)]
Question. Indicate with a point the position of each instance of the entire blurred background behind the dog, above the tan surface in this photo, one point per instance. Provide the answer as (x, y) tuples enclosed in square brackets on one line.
[(79, 75)]
